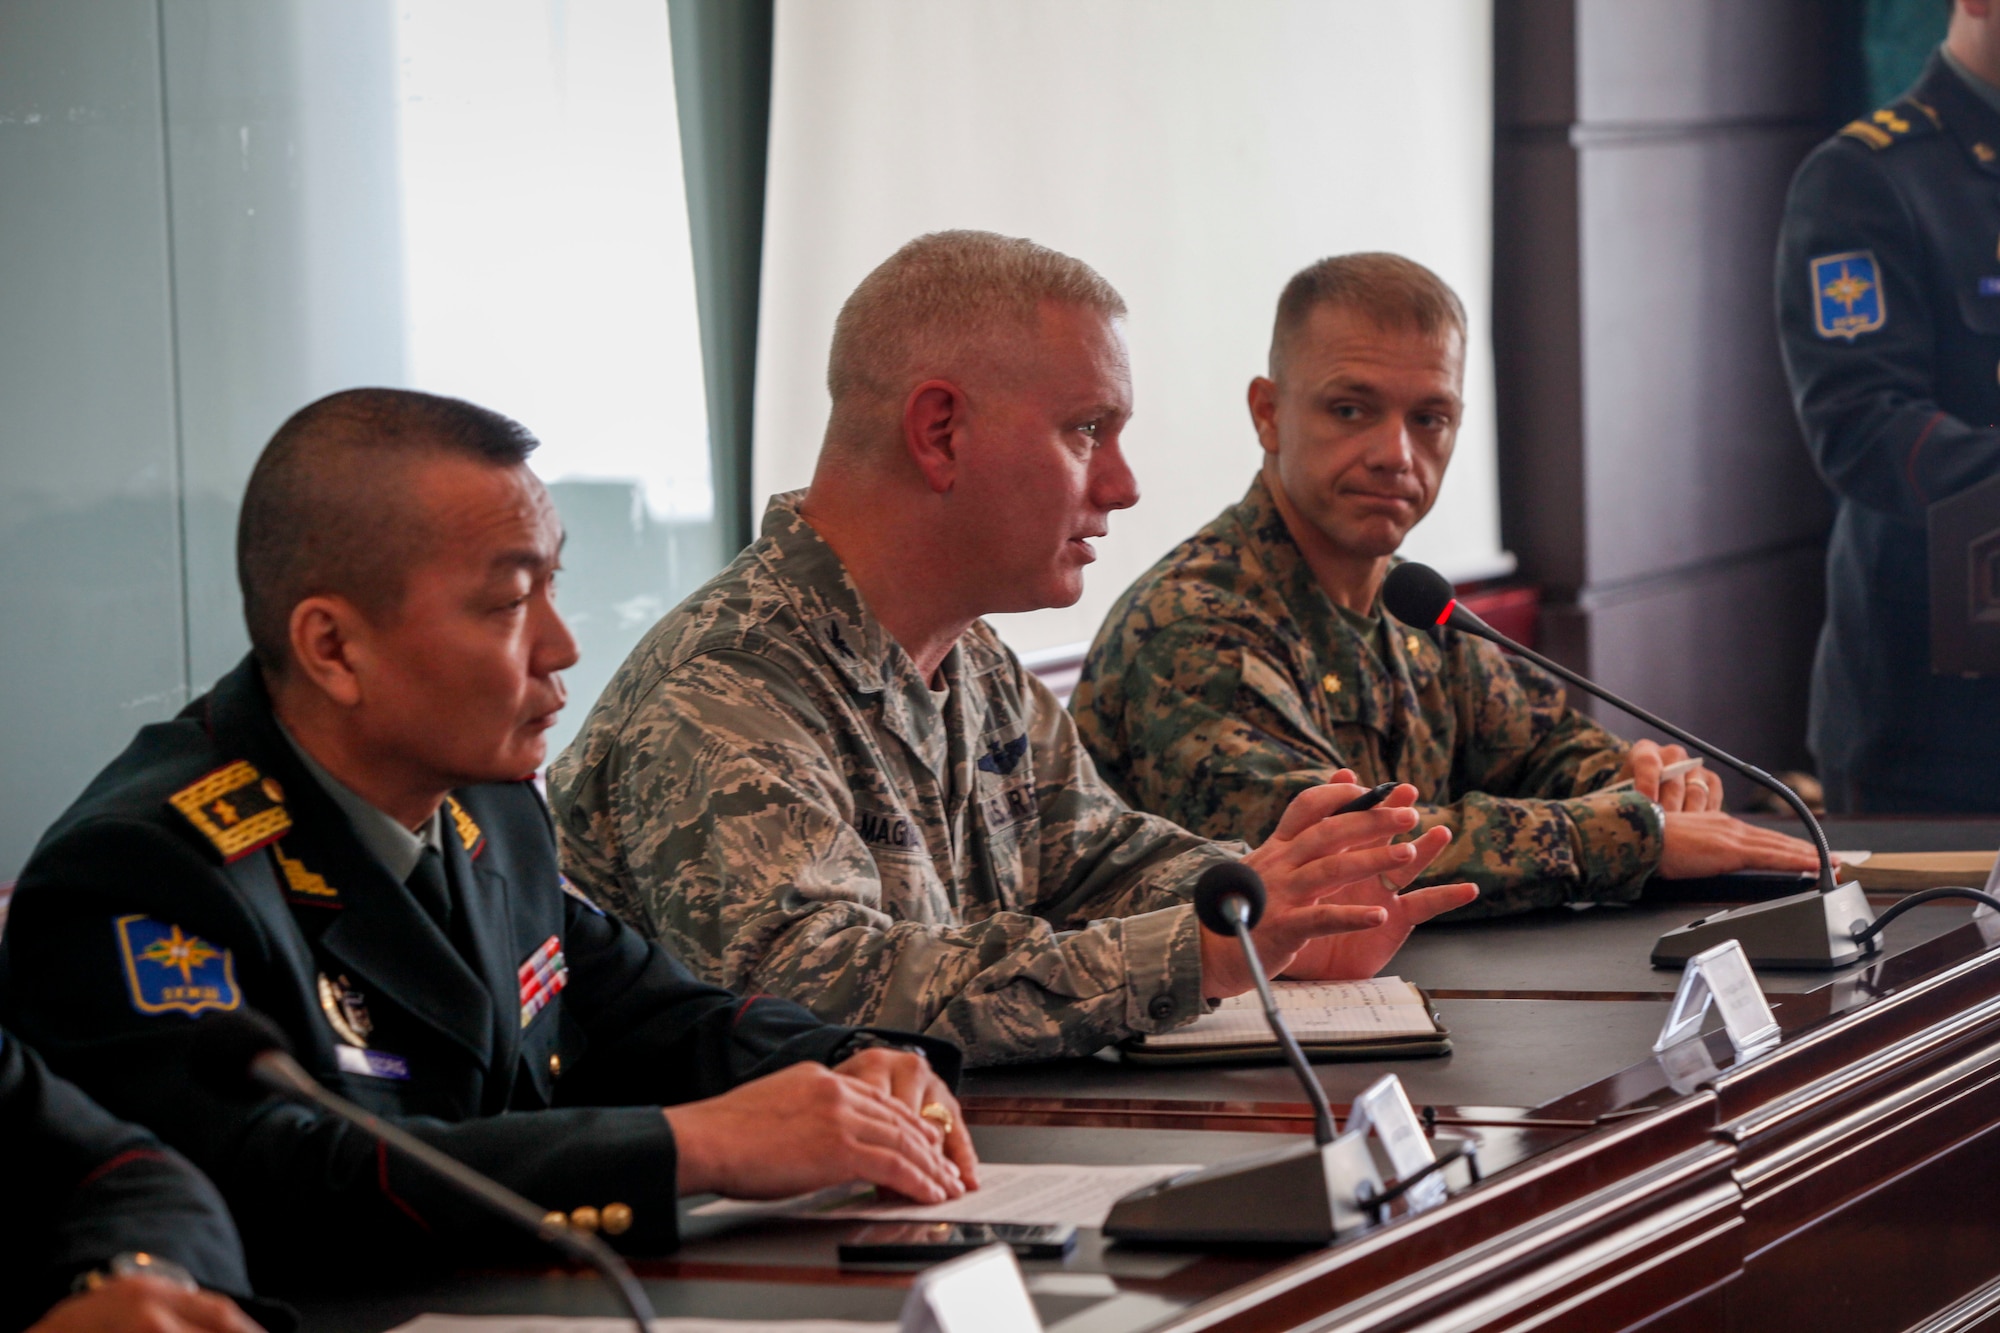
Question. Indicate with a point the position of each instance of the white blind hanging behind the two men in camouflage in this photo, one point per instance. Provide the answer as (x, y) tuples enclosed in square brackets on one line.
[(1195, 151)]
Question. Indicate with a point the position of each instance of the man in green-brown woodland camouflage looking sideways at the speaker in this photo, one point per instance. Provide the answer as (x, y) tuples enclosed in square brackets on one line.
[(1255, 659)]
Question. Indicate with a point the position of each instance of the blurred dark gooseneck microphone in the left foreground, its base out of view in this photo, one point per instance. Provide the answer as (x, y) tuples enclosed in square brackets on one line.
[(245, 1056)]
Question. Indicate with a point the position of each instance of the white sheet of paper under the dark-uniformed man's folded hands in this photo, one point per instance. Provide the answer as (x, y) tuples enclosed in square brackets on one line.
[(1039, 1196)]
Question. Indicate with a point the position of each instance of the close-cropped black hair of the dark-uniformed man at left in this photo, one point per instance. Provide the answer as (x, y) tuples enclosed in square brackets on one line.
[(329, 511)]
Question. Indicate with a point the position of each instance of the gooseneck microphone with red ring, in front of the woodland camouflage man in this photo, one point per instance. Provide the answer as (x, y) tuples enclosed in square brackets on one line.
[(1829, 926)]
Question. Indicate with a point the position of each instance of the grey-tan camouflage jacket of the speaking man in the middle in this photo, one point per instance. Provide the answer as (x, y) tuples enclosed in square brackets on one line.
[(769, 788)]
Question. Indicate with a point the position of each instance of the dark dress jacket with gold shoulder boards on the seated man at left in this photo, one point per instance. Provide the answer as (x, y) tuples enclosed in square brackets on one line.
[(205, 870)]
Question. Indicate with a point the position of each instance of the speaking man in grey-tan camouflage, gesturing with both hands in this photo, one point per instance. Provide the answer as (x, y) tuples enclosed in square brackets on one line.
[(823, 776)]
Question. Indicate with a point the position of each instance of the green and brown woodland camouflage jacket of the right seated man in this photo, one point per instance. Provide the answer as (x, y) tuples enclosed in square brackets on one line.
[(1225, 684)]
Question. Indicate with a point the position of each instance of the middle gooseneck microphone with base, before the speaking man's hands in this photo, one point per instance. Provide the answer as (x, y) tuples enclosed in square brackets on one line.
[(1307, 1194)]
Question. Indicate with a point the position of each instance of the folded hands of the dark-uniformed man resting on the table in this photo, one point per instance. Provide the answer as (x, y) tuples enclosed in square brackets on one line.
[(807, 1128)]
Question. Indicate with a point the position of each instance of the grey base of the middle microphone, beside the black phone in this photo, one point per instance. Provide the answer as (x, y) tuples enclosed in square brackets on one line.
[(1297, 1196)]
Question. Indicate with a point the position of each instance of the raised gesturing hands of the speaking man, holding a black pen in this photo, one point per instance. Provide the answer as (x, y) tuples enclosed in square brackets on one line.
[(1315, 870)]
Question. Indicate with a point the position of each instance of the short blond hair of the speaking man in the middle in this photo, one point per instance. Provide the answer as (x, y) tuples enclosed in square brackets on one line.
[(941, 299)]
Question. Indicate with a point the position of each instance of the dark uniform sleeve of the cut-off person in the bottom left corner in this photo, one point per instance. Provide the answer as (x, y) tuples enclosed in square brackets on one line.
[(79, 1186)]
